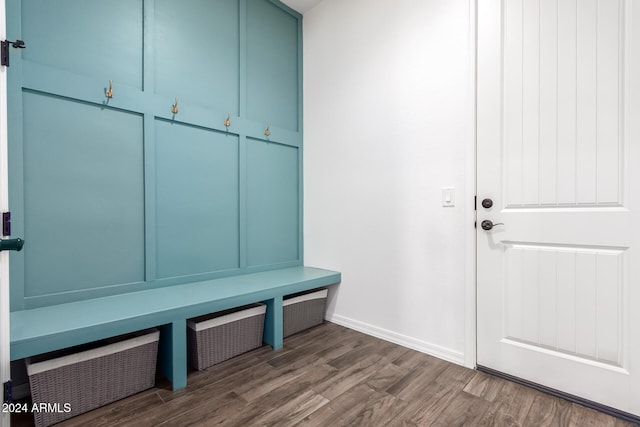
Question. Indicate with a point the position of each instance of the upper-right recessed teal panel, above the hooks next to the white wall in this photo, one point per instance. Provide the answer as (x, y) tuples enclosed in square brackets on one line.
[(272, 65)]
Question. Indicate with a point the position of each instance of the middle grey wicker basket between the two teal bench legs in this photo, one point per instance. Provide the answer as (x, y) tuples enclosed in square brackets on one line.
[(219, 336)]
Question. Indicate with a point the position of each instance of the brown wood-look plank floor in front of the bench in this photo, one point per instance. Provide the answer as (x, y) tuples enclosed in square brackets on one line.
[(334, 376)]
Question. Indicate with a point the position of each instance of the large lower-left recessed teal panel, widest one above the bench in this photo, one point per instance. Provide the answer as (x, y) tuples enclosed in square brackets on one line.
[(83, 196)]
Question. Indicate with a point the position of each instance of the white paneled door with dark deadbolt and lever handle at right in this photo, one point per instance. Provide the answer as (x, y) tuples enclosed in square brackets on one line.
[(558, 153)]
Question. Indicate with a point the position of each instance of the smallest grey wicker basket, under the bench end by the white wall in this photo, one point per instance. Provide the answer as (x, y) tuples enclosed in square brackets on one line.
[(303, 311)]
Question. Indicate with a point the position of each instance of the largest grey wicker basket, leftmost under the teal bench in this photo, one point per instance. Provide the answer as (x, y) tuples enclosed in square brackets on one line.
[(65, 384)]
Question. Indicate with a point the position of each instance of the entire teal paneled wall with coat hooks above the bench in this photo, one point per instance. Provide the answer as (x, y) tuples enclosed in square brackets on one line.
[(120, 194)]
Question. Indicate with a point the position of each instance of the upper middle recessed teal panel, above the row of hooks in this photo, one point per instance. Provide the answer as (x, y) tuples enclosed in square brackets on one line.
[(196, 52)]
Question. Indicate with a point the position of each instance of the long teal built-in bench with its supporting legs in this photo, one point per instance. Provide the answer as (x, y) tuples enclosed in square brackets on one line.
[(44, 329)]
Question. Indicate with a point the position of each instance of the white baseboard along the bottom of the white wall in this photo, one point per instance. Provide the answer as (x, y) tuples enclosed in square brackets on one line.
[(435, 350)]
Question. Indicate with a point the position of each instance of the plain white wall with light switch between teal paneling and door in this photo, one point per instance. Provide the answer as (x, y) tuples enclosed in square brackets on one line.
[(388, 105)]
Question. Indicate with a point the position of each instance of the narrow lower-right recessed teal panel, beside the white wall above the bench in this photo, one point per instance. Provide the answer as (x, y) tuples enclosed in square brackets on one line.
[(272, 203)]
